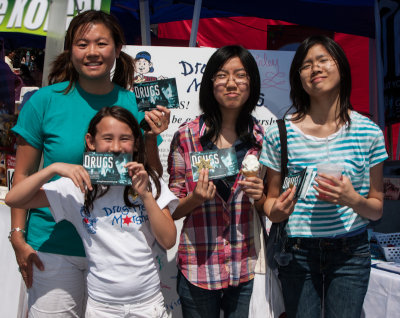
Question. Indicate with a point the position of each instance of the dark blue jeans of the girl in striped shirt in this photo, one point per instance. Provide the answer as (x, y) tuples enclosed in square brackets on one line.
[(328, 274)]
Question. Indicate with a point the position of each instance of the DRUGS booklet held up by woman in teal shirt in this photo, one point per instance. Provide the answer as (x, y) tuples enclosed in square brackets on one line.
[(162, 92)]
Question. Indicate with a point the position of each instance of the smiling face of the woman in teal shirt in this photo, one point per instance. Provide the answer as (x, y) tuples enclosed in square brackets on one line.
[(94, 53)]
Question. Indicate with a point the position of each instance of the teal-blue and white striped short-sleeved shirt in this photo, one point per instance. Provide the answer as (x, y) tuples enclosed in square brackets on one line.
[(357, 147)]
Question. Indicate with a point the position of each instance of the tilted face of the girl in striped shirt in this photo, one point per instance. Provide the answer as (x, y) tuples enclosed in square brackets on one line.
[(319, 72)]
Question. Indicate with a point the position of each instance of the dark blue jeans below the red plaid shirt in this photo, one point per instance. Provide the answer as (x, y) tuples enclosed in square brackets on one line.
[(203, 303)]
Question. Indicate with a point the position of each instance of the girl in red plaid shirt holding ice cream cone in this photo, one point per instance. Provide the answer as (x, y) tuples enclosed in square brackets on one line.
[(216, 254)]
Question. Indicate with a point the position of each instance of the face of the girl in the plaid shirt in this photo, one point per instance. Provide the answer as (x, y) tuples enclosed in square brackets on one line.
[(232, 95)]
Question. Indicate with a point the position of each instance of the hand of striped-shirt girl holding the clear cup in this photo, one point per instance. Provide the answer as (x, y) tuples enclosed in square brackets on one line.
[(335, 191)]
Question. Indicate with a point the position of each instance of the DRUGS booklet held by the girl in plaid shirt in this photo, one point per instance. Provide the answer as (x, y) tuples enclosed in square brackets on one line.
[(220, 163)]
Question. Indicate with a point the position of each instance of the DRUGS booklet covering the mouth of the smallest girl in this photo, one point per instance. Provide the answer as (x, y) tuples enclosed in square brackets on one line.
[(107, 168)]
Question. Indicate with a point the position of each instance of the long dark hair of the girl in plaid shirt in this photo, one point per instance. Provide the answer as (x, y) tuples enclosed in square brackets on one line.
[(210, 106)]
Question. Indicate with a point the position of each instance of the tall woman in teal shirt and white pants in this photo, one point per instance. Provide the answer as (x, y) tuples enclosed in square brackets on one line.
[(53, 123)]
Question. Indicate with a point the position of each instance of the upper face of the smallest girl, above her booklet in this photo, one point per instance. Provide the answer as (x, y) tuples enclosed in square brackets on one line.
[(111, 135)]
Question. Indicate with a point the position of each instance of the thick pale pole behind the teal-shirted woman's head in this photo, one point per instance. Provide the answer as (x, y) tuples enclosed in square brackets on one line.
[(55, 34)]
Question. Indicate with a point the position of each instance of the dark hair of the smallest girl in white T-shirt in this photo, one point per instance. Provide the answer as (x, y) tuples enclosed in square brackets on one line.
[(139, 154)]
